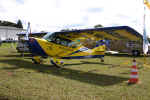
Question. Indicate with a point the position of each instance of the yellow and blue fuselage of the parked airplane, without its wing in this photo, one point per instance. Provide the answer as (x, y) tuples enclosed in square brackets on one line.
[(59, 47)]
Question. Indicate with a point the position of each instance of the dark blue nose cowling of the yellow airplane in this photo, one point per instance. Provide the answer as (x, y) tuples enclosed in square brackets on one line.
[(35, 47)]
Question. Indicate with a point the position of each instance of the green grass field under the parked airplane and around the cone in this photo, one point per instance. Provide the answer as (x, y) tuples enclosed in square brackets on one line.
[(86, 79)]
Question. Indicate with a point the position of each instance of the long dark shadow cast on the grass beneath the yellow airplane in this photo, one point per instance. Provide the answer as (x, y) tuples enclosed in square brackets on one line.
[(85, 77)]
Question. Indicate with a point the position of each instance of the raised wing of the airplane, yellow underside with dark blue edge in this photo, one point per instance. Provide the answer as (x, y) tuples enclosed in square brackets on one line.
[(90, 36)]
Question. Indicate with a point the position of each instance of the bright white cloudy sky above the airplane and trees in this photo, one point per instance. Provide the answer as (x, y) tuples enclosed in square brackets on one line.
[(55, 15)]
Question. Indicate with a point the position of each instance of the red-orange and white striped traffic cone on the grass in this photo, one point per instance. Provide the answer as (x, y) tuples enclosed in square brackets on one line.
[(134, 74)]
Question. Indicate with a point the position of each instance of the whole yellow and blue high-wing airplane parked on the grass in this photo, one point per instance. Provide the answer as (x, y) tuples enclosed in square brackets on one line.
[(78, 44)]
